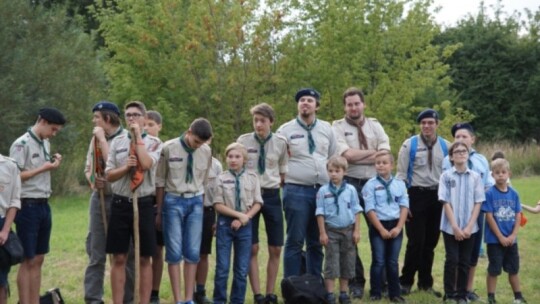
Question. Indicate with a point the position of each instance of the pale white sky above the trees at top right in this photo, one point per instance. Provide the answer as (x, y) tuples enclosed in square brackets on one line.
[(454, 10)]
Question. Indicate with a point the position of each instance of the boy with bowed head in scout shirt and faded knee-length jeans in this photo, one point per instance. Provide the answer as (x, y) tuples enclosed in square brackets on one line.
[(181, 177)]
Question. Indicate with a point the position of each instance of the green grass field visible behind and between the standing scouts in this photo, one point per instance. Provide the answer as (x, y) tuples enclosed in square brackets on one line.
[(65, 264)]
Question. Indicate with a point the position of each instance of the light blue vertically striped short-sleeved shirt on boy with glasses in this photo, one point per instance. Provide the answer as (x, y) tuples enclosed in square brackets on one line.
[(461, 191)]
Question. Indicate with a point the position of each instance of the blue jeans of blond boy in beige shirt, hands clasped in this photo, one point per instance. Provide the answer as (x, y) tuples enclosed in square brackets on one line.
[(226, 238)]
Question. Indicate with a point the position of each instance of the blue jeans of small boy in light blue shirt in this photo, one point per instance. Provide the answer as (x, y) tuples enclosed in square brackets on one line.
[(384, 255)]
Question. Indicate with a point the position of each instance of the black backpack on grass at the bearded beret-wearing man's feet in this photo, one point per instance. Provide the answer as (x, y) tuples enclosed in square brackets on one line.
[(303, 289)]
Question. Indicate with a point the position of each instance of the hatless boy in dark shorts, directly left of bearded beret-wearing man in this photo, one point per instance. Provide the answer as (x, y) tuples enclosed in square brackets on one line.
[(267, 157)]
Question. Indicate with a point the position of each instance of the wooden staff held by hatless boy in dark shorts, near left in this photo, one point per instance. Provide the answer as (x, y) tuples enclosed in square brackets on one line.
[(137, 176)]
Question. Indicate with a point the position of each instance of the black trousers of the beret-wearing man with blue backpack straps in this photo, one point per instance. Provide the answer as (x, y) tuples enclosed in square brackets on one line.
[(423, 230)]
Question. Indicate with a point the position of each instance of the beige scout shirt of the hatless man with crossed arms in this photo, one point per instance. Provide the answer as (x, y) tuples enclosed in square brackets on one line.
[(347, 137)]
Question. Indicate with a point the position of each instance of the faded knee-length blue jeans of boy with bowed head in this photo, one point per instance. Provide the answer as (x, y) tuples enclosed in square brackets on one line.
[(182, 228)]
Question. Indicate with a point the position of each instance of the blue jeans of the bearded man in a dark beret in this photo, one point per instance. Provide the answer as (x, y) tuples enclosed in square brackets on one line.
[(299, 204)]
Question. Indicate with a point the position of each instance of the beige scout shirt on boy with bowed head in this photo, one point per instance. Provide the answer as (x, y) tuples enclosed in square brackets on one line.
[(172, 168)]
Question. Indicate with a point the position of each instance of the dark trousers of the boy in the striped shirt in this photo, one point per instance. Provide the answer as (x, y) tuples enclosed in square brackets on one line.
[(457, 265)]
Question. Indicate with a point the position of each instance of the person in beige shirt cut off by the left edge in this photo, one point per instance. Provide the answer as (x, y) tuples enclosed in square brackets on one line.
[(10, 202)]
